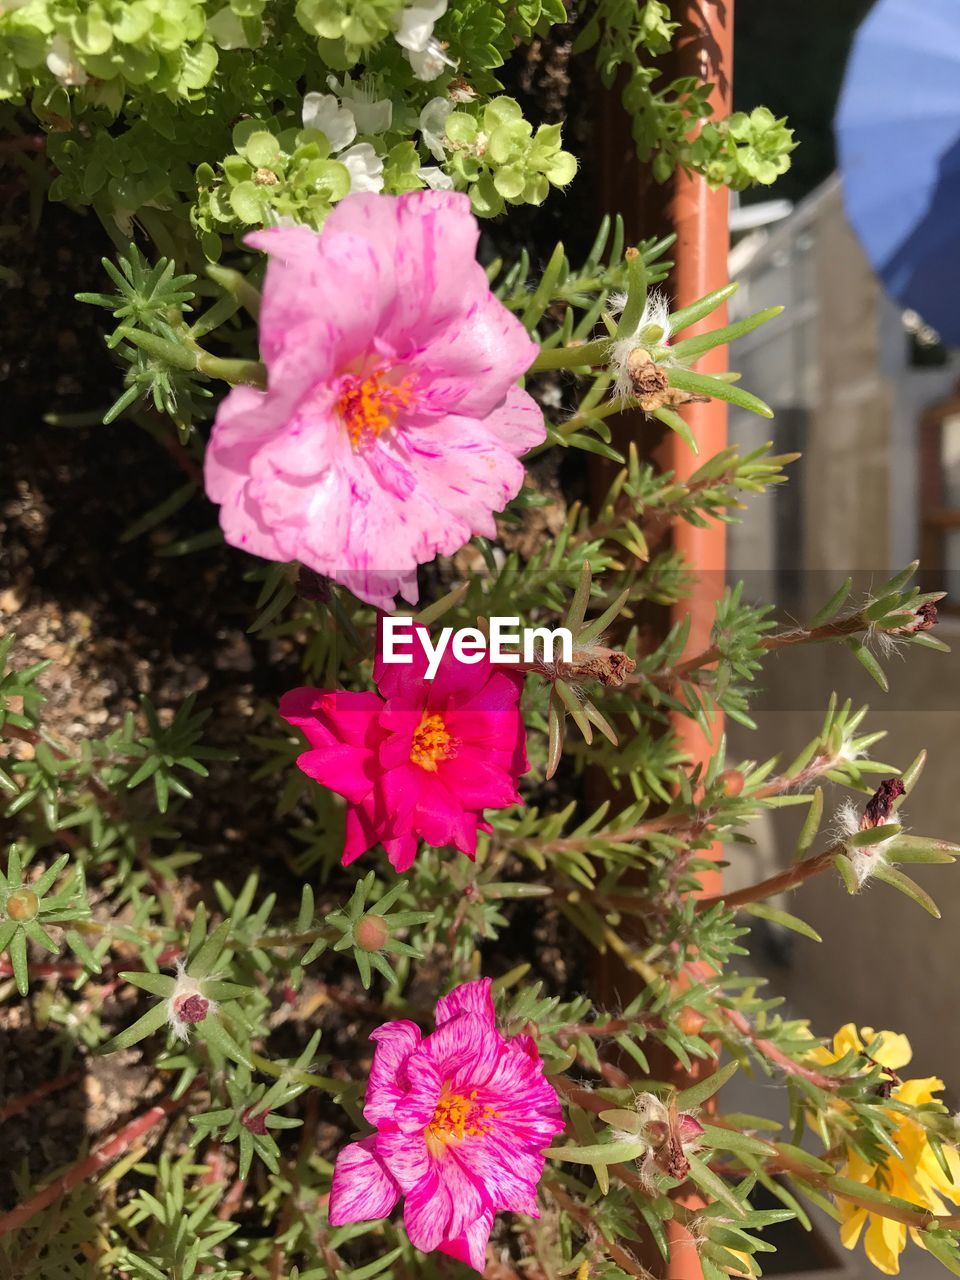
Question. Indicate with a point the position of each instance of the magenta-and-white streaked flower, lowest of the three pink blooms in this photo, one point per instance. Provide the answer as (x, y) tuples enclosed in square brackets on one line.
[(463, 1119)]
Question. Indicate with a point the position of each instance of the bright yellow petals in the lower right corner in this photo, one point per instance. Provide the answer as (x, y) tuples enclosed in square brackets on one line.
[(916, 1177)]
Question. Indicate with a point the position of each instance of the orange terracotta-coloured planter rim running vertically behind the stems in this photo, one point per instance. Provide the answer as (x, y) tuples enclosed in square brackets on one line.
[(701, 220)]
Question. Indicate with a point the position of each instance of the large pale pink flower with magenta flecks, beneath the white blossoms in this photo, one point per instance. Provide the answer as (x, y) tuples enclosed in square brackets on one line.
[(392, 427)]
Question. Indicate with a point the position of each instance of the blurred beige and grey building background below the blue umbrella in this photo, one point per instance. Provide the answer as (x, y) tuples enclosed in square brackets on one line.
[(870, 397)]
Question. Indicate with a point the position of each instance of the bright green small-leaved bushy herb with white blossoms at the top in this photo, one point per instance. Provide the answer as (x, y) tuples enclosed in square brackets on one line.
[(150, 108)]
